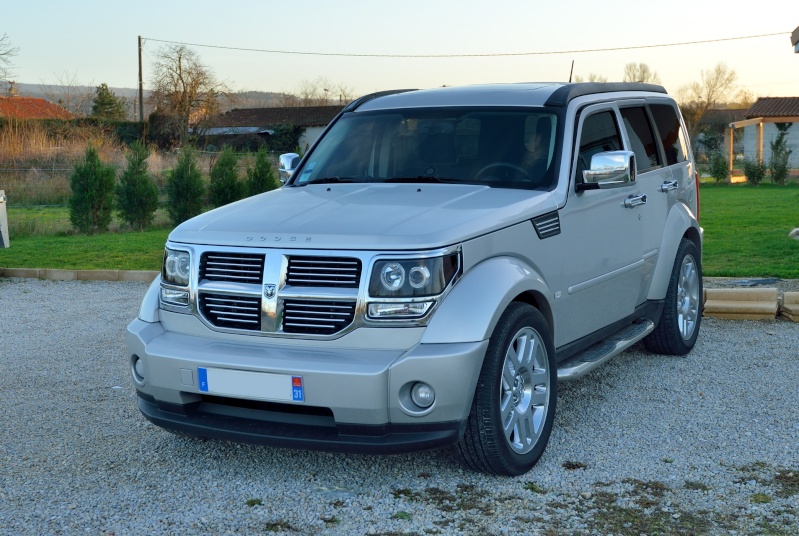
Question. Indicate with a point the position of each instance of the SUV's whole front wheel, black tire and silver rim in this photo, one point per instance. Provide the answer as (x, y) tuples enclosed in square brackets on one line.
[(525, 395)]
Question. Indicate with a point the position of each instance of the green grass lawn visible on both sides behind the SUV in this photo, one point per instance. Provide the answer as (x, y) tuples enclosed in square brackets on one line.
[(746, 235)]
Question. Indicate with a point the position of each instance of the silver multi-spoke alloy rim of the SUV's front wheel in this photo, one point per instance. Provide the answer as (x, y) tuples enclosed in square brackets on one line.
[(524, 390)]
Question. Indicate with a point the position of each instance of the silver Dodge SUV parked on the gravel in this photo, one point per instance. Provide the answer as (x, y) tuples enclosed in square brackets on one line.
[(434, 265)]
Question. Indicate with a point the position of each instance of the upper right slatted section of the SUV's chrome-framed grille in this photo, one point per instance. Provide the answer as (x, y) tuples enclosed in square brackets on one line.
[(339, 272)]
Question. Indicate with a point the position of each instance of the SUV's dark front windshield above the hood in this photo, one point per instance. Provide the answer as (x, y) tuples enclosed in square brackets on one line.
[(495, 147)]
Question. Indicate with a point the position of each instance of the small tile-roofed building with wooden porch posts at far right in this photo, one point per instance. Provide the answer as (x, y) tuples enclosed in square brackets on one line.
[(759, 128)]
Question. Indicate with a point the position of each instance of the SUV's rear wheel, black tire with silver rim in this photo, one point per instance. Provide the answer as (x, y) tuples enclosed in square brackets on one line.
[(678, 328)]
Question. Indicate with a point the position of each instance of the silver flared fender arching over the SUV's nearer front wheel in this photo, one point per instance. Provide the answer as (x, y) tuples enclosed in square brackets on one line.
[(472, 309)]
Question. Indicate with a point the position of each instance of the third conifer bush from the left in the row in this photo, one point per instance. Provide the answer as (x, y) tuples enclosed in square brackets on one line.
[(185, 188)]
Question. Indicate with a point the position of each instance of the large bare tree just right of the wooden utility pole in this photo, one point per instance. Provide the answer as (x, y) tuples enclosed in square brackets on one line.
[(183, 89)]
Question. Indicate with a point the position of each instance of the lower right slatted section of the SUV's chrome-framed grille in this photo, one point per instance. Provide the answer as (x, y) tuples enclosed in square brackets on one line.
[(317, 317)]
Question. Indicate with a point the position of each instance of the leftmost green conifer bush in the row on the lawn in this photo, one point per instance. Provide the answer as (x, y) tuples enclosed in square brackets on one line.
[(92, 198)]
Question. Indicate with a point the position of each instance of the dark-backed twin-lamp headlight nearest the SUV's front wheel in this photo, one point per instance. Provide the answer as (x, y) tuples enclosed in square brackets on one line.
[(411, 278)]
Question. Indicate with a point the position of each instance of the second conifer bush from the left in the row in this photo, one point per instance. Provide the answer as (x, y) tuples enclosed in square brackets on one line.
[(137, 193)]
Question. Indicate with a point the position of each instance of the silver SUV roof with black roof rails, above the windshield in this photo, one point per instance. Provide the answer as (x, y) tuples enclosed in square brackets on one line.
[(518, 94)]
